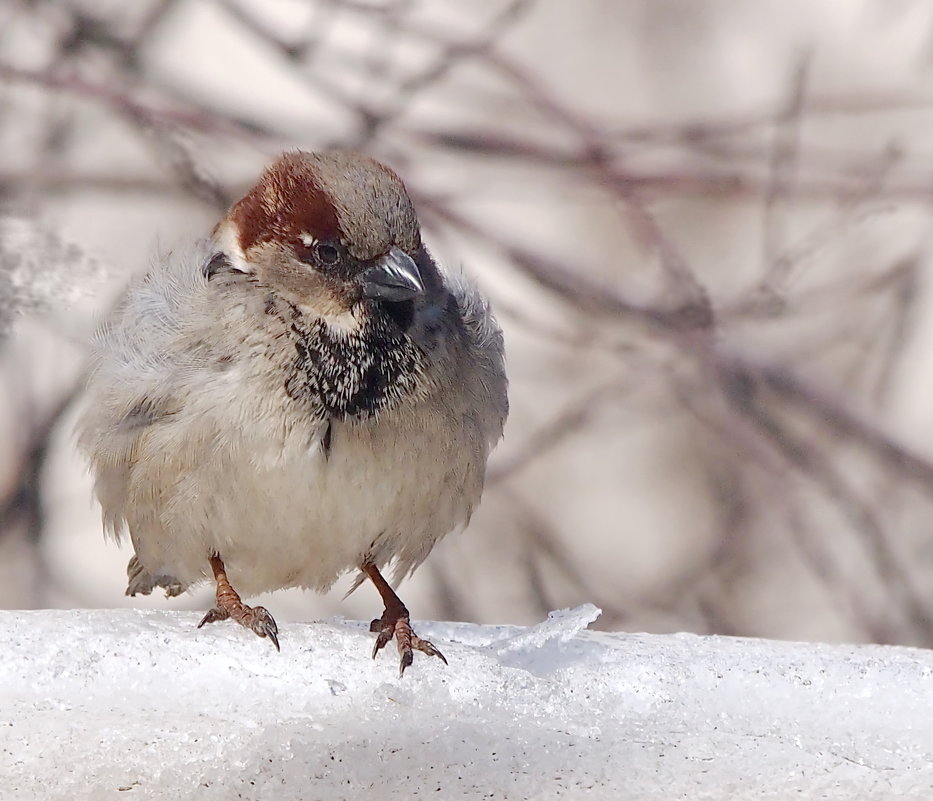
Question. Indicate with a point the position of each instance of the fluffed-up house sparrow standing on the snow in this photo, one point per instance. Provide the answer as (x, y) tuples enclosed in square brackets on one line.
[(302, 395)]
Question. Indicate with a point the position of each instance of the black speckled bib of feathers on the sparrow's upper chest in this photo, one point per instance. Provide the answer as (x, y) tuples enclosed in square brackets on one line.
[(352, 371)]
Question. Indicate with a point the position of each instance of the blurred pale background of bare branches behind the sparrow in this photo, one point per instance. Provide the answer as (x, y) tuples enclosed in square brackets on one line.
[(704, 227)]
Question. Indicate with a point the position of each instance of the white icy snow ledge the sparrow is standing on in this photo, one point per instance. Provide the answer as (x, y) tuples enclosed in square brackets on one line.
[(133, 704)]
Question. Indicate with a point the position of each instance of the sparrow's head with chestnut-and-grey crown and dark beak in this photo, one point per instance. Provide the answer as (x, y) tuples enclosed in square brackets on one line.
[(329, 232)]
